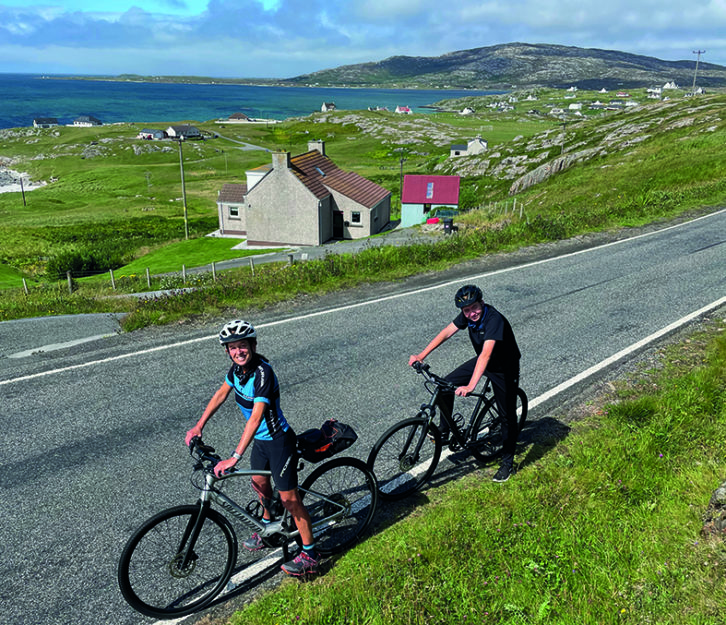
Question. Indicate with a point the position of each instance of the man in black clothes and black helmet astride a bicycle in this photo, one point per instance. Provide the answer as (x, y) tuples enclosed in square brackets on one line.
[(497, 358)]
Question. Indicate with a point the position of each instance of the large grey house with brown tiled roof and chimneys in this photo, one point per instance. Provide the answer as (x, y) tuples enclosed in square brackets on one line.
[(303, 200)]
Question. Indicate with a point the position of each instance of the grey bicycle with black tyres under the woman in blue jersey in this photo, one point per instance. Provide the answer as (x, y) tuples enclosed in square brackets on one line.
[(179, 560)]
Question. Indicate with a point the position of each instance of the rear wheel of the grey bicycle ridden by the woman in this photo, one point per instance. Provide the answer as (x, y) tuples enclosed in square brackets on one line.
[(349, 482)]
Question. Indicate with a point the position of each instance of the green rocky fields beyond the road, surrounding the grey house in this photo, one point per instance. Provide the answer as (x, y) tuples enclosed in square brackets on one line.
[(113, 199)]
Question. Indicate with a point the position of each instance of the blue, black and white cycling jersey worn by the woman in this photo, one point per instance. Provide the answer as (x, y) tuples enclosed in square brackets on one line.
[(259, 385)]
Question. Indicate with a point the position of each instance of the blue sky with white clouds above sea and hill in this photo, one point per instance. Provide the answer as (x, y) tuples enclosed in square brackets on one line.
[(286, 38)]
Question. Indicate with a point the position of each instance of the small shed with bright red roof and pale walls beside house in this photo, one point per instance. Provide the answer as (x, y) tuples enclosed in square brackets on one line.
[(422, 195)]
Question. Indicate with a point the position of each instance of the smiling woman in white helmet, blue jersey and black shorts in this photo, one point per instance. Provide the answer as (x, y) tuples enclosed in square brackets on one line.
[(257, 393)]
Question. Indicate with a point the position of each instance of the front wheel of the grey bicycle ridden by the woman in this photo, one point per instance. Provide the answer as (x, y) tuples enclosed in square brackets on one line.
[(148, 576)]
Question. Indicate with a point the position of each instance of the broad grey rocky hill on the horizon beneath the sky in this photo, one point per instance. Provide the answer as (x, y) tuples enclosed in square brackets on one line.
[(523, 65)]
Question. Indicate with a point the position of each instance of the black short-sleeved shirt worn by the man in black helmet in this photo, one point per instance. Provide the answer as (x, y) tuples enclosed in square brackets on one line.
[(494, 326)]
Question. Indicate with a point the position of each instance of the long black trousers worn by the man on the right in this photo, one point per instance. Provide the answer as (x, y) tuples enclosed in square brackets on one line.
[(505, 387)]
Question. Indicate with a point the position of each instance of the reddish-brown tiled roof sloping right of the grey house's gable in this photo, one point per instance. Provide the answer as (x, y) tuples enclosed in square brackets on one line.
[(319, 174)]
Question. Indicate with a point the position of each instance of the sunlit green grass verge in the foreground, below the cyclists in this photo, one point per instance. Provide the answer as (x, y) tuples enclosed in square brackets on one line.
[(601, 526)]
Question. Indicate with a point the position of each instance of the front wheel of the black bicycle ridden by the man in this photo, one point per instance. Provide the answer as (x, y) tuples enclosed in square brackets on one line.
[(399, 474)]
